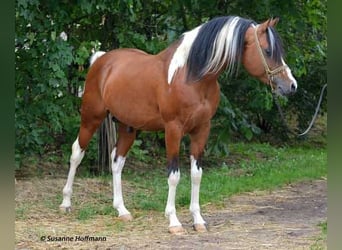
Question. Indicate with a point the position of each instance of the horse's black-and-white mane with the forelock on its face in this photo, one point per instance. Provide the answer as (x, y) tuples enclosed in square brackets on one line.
[(210, 46)]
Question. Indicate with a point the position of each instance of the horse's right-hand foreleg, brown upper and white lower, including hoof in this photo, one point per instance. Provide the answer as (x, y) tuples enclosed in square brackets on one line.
[(198, 140)]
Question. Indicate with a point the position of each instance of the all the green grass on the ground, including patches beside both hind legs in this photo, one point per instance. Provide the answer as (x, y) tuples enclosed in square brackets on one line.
[(248, 167)]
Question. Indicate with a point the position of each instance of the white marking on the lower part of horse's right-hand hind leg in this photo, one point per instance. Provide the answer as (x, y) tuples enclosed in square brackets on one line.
[(117, 166)]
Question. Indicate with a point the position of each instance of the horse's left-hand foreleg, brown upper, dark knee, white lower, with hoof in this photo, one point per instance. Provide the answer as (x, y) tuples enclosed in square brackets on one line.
[(172, 141)]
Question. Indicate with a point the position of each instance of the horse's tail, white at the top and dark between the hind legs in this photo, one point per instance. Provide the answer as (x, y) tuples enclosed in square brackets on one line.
[(106, 133)]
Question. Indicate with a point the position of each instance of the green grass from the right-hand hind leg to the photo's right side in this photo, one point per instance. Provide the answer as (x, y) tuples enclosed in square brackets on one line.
[(255, 167)]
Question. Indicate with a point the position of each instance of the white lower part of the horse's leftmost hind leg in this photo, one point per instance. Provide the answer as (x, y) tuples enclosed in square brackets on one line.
[(75, 160)]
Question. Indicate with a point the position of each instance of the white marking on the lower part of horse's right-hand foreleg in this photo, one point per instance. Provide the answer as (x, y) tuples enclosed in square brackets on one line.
[(196, 176)]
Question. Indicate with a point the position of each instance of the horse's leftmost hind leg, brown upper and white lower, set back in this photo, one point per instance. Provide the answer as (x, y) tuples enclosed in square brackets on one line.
[(89, 124)]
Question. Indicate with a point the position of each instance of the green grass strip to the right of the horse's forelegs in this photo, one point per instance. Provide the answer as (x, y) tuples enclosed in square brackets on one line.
[(276, 168)]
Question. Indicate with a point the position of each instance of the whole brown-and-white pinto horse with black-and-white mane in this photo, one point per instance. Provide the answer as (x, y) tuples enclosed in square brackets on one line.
[(175, 91)]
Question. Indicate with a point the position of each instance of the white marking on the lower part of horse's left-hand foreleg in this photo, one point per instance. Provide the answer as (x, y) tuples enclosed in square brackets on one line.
[(170, 209)]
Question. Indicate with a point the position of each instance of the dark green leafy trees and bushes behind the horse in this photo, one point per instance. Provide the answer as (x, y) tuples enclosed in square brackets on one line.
[(51, 67)]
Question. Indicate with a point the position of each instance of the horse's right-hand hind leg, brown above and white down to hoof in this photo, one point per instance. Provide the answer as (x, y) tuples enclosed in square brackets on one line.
[(125, 141)]
